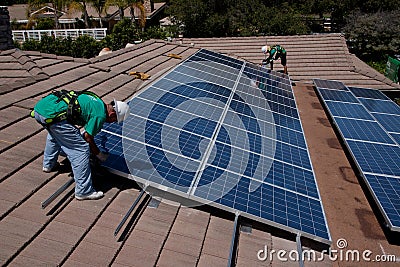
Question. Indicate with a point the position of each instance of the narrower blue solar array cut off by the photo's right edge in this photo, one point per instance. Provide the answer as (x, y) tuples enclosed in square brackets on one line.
[(369, 123)]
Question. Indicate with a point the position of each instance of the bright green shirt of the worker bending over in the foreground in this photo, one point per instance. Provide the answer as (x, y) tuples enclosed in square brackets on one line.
[(93, 111)]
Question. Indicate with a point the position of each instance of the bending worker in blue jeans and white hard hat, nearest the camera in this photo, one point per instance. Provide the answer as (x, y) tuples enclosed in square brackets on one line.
[(59, 112)]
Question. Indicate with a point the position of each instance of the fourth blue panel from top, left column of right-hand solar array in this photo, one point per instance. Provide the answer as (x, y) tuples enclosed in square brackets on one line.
[(363, 130)]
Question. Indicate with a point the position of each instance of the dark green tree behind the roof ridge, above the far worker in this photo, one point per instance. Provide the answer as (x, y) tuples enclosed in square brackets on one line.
[(212, 18)]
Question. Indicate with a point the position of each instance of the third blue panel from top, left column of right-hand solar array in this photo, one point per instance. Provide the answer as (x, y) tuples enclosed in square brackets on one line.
[(347, 110)]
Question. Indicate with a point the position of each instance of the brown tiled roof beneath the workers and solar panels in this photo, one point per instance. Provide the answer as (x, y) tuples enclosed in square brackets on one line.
[(73, 233)]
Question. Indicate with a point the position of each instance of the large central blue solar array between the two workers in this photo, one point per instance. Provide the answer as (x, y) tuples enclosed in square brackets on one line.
[(223, 132)]
